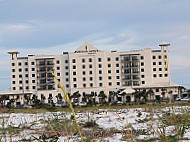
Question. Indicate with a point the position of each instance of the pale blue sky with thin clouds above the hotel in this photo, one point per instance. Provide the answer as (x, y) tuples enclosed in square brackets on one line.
[(53, 26)]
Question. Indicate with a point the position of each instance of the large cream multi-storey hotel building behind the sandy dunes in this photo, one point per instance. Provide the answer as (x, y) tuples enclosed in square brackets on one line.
[(90, 70)]
